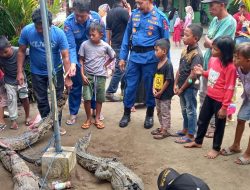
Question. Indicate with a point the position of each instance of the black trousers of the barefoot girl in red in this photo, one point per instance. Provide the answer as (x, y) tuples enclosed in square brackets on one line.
[(210, 107)]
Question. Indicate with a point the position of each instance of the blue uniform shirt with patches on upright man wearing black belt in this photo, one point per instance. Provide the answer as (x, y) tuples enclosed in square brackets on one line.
[(144, 30)]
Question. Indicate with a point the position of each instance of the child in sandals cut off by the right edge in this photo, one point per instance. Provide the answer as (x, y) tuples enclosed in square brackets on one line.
[(242, 62)]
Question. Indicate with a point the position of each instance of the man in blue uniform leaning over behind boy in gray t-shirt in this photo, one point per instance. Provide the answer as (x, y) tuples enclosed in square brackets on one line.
[(76, 28)]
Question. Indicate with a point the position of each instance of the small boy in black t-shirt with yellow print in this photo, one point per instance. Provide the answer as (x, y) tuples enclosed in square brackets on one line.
[(163, 89)]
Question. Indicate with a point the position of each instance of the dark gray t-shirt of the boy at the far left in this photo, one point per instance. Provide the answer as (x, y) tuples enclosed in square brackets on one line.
[(9, 67)]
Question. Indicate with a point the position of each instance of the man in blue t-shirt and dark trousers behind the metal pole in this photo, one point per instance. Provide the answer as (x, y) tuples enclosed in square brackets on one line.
[(32, 36)]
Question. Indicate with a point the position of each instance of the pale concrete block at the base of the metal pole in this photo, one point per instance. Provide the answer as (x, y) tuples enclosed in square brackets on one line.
[(58, 165)]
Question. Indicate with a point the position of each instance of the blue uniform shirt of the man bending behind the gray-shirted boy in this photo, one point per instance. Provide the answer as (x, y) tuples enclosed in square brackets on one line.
[(77, 33)]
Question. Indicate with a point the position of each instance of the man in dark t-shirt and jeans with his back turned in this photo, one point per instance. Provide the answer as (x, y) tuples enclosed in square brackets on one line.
[(117, 20)]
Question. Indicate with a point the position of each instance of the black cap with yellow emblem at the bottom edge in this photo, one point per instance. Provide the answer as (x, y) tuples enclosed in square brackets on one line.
[(169, 179)]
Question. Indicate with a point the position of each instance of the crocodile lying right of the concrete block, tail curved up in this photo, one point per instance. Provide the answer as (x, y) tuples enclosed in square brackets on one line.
[(110, 169)]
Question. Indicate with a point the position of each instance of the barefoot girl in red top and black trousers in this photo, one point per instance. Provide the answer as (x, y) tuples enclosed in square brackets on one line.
[(221, 82)]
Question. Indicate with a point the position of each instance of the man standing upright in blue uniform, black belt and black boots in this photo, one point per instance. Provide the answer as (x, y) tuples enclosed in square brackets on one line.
[(146, 25)]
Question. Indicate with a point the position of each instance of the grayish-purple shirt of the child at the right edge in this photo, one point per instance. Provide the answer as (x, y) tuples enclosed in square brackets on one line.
[(245, 79)]
